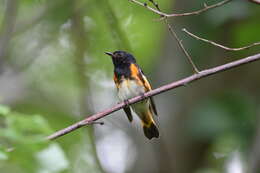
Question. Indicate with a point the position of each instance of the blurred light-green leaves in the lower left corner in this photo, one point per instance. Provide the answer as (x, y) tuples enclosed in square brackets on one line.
[(21, 135)]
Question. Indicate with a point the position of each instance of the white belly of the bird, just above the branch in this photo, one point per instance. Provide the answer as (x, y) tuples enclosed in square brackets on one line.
[(129, 89)]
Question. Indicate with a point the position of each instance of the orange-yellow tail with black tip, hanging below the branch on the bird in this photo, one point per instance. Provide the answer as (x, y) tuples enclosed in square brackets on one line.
[(149, 127)]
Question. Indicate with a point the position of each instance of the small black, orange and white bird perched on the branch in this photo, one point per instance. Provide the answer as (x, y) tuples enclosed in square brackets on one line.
[(130, 82)]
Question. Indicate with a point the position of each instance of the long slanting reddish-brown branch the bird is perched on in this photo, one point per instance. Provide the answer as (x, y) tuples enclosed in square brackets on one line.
[(154, 92)]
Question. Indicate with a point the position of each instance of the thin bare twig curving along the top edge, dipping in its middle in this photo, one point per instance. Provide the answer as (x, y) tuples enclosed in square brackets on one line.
[(163, 15)]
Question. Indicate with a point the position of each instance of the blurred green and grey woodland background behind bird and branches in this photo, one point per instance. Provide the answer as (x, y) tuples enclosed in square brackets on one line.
[(53, 72)]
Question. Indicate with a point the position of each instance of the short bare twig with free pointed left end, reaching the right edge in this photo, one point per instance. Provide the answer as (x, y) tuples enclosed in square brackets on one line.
[(219, 45)]
